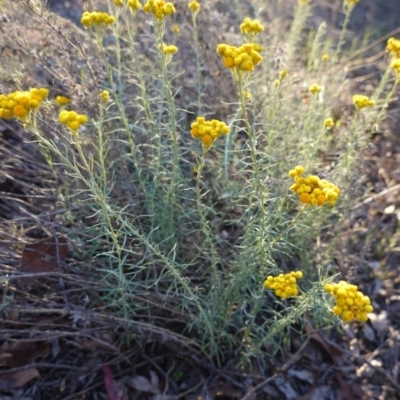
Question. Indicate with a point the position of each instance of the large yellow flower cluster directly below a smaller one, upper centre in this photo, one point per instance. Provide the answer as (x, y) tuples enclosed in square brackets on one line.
[(244, 58)]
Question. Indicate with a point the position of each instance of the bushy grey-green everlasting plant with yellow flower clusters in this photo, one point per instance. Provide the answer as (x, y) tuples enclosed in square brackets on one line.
[(142, 144)]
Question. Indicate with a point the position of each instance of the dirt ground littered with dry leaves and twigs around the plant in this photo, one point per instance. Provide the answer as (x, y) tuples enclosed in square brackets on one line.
[(60, 353)]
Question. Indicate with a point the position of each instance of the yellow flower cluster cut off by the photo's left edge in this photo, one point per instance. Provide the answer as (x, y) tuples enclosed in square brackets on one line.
[(18, 104)]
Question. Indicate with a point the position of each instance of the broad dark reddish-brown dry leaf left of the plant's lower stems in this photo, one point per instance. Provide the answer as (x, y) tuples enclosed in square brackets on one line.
[(44, 256)]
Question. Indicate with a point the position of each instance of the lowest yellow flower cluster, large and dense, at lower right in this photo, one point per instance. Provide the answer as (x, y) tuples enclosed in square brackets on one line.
[(350, 303)]
